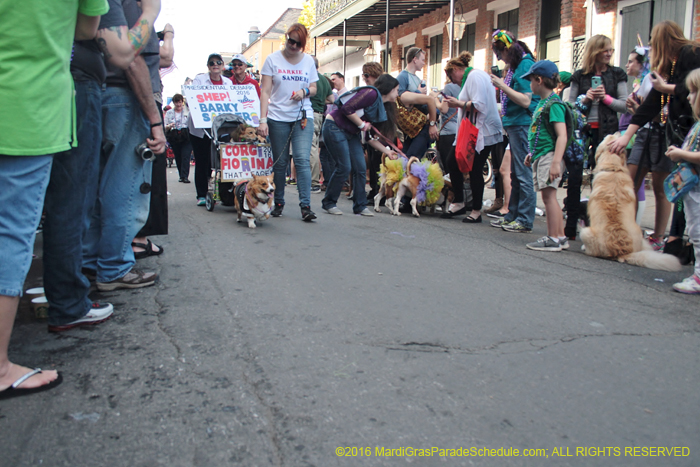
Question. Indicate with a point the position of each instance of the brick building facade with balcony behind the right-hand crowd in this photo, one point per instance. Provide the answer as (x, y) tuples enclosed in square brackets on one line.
[(549, 27)]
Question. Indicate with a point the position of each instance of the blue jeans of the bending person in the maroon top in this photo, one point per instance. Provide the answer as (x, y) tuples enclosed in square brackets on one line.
[(348, 151)]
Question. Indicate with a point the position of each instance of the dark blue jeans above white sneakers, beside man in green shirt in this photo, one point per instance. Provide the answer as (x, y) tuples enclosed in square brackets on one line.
[(69, 199)]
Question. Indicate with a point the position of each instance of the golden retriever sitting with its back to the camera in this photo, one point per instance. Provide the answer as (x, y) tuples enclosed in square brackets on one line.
[(613, 232)]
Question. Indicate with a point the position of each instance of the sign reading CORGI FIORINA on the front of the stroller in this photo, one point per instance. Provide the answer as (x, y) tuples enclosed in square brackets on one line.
[(240, 161)]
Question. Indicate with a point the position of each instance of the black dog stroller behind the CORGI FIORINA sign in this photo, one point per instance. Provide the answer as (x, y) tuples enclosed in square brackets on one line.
[(220, 190)]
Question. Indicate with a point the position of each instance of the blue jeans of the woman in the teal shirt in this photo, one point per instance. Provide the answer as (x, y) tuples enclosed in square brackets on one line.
[(523, 198)]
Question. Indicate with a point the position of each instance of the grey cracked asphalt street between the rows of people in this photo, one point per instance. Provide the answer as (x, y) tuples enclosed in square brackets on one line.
[(292, 343)]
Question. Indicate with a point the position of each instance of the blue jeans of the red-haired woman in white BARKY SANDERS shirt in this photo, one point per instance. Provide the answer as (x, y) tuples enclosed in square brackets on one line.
[(301, 147)]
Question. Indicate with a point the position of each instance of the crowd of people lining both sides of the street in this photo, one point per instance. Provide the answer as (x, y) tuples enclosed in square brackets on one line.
[(102, 199)]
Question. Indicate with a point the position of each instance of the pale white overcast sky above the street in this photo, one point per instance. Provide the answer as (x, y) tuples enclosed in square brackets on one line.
[(203, 27)]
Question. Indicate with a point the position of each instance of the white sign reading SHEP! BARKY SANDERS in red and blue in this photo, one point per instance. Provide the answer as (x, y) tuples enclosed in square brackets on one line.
[(206, 102)]
